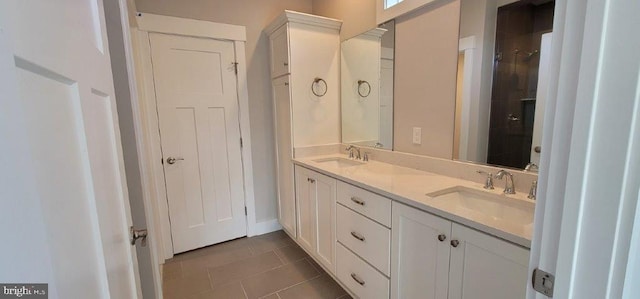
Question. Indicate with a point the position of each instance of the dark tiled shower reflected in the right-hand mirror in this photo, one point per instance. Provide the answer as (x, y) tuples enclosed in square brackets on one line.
[(519, 26)]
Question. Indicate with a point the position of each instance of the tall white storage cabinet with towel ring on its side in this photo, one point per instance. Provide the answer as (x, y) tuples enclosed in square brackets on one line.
[(305, 68)]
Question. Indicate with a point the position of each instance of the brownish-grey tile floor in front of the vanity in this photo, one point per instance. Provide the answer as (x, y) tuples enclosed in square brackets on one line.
[(270, 266)]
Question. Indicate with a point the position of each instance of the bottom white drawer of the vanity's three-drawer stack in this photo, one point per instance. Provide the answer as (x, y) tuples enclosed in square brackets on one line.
[(363, 280)]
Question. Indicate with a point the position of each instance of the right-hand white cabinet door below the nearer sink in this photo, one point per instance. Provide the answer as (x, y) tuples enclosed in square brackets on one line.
[(484, 267)]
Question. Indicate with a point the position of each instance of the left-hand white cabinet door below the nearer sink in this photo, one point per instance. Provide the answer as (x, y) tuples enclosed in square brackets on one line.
[(419, 259)]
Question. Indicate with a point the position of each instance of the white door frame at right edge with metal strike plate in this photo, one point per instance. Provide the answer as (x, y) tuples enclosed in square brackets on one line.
[(587, 214)]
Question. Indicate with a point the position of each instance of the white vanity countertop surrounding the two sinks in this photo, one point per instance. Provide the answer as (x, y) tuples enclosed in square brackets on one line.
[(410, 186)]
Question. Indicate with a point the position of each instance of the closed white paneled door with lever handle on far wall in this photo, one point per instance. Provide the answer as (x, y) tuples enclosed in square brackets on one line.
[(195, 83)]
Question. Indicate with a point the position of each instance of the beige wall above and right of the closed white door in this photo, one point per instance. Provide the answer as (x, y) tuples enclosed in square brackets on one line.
[(254, 15)]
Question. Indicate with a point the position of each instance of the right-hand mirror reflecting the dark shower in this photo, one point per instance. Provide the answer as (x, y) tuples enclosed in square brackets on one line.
[(502, 80)]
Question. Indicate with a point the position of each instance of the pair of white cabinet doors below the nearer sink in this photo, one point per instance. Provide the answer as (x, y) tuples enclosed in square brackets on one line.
[(436, 258)]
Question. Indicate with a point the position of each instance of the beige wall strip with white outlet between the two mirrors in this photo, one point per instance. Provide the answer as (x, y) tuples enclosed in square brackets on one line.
[(426, 58)]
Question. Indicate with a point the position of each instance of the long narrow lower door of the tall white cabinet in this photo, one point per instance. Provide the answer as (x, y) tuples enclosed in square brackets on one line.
[(282, 117)]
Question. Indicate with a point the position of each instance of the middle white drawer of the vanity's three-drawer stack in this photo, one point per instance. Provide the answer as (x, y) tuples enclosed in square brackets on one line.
[(370, 240)]
